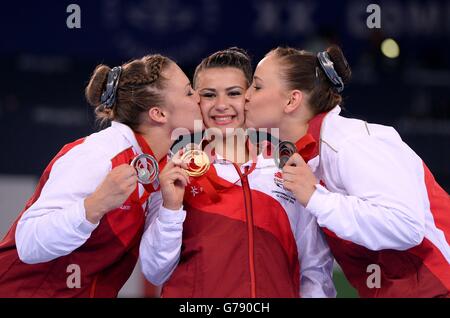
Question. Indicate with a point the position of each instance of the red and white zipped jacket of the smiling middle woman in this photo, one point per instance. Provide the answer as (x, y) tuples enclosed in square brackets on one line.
[(247, 238)]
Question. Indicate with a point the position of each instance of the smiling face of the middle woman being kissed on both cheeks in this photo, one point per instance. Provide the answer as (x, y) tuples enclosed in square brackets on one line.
[(222, 97)]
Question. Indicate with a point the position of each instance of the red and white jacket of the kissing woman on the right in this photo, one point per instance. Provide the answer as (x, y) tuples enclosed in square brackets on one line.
[(380, 205)]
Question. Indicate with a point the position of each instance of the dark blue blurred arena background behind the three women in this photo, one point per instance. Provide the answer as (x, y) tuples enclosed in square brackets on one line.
[(45, 66)]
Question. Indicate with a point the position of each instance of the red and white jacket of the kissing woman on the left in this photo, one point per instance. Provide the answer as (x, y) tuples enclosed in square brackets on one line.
[(52, 232)]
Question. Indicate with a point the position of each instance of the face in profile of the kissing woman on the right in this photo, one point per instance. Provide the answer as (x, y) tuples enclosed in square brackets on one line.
[(267, 96)]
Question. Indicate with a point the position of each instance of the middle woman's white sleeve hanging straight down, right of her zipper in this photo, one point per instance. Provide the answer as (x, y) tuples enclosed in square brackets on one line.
[(316, 261)]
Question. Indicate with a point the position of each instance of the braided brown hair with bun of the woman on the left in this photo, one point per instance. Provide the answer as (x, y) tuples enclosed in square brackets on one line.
[(139, 87)]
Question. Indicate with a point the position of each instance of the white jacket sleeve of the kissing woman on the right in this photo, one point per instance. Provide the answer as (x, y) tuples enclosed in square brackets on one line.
[(383, 207)]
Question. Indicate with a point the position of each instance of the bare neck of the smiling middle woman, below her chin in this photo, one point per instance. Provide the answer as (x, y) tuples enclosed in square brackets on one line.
[(233, 147)]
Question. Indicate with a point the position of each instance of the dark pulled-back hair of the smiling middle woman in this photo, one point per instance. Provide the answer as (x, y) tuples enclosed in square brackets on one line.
[(232, 57)]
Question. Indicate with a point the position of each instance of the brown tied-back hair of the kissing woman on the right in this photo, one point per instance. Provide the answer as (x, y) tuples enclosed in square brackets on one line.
[(299, 69)]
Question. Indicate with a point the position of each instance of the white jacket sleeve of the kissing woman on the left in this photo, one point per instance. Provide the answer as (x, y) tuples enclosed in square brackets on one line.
[(56, 224)]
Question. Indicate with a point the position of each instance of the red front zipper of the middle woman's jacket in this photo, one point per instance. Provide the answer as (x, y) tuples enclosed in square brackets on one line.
[(249, 217)]
